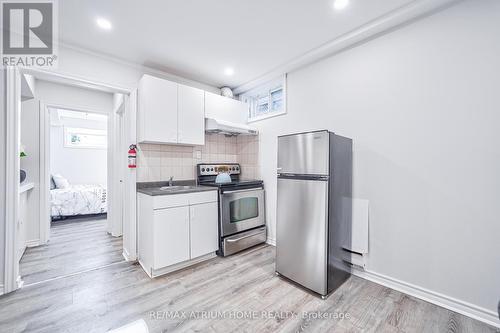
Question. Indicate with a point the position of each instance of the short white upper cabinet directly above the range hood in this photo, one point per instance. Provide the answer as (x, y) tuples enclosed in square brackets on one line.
[(224, 108)]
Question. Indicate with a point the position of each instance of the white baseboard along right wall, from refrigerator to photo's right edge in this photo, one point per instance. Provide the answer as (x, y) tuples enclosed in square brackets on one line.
[(450, 303)]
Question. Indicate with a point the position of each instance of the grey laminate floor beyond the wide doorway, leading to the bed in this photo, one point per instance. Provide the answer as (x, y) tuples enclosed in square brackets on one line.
[(74, 246)]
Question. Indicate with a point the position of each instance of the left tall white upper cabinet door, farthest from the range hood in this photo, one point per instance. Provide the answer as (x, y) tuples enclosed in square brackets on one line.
[(157, 110)]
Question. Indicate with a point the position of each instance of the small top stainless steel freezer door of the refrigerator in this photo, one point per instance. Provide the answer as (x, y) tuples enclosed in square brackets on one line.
[(304, 154)]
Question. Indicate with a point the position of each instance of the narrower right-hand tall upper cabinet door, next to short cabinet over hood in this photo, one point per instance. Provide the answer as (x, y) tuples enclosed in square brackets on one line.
[(191, 115)]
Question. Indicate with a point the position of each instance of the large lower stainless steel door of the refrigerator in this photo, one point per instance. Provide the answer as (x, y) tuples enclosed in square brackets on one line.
[(301, 244)]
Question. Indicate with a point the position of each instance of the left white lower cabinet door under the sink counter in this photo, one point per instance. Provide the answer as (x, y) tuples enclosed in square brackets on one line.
[(170, 236)]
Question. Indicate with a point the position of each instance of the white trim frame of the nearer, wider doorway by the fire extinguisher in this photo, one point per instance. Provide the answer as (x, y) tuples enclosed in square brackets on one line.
[(12, 280)]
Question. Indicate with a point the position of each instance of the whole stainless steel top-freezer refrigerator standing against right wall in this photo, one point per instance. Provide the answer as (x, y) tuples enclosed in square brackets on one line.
[(314, 209)]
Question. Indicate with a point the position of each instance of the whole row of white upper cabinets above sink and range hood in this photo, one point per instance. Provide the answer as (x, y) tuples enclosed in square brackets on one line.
[(174, 113)]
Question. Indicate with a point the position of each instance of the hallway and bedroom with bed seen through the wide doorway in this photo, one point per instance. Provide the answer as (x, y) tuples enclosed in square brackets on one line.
[(65, 135)]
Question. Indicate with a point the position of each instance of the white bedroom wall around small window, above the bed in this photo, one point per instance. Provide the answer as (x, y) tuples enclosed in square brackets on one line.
[(78, 165)]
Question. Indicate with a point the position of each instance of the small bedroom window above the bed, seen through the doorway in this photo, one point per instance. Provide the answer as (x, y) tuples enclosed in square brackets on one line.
[(85, 138)]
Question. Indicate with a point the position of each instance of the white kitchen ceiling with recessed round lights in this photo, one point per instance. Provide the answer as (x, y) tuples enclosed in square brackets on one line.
[(199, 39)]
